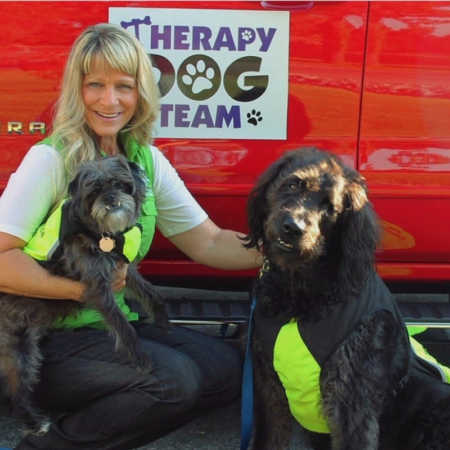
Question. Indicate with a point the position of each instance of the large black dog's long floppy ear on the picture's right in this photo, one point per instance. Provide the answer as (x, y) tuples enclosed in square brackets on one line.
[(359, 234)]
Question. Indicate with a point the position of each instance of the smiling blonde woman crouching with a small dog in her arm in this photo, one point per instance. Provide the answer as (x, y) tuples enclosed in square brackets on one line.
[(108, 105)]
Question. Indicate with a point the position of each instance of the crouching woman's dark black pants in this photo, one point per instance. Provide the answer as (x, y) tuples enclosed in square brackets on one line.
[(100, 401)]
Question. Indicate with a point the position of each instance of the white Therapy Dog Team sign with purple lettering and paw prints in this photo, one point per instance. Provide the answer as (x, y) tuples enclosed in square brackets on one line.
[(221, 73)]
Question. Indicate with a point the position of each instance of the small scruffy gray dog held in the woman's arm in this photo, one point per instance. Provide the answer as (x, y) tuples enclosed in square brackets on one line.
[(105, 200)]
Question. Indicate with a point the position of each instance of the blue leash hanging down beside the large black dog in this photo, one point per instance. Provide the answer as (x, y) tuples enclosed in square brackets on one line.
[(247, 386)]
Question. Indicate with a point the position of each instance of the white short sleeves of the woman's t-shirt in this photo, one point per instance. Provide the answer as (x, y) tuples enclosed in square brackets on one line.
[(36, 185)]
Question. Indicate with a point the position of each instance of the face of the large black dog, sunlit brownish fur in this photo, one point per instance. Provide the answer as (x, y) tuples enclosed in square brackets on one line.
[(306, 200)]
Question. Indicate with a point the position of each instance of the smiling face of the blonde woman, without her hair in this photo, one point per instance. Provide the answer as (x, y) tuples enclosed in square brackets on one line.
[(110, 98)]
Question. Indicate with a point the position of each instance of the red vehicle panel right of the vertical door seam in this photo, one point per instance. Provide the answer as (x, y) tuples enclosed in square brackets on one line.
[(405, 134)]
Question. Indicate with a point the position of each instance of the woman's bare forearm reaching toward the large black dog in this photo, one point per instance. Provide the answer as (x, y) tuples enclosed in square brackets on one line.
[(215, 247)]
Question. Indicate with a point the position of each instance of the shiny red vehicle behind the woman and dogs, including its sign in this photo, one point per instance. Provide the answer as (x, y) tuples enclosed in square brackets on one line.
[(244, 81)]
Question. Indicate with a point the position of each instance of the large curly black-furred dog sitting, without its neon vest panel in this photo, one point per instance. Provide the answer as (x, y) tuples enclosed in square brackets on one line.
[(310, 216)]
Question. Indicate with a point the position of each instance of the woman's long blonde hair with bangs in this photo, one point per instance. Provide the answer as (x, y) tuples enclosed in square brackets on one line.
[(119, 51)]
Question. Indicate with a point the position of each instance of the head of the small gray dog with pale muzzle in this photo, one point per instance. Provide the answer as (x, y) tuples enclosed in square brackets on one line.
[(108, 194)]
